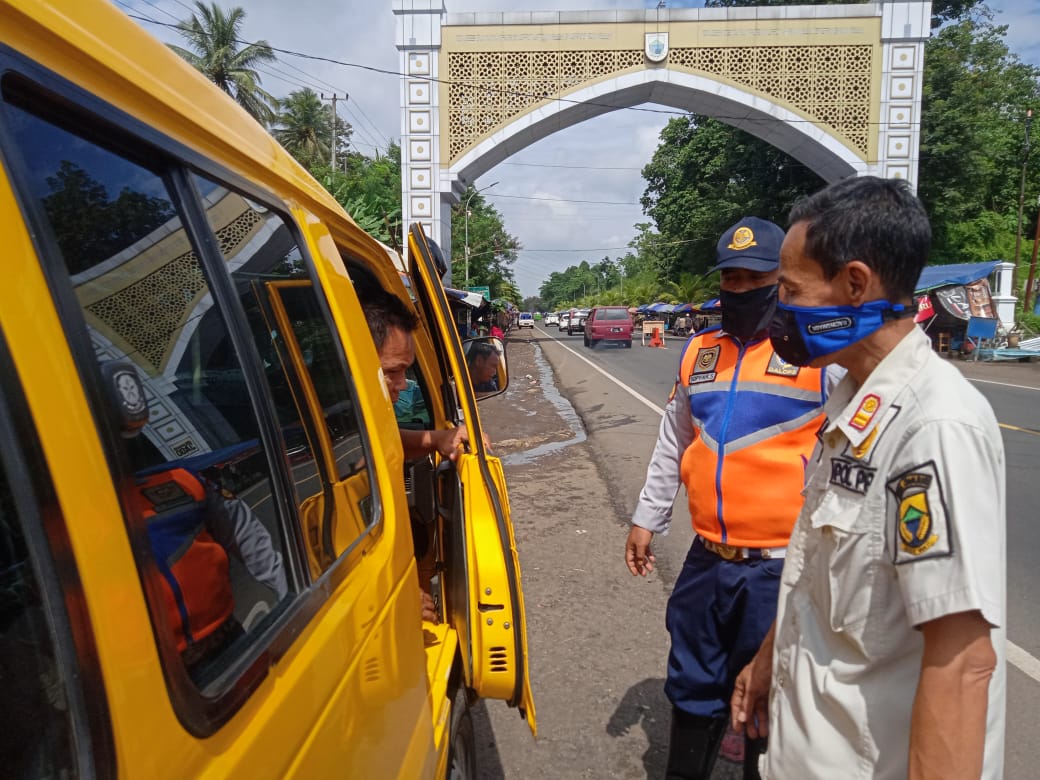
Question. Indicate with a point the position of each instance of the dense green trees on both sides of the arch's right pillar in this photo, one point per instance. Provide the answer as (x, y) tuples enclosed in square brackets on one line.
[(706, 175)]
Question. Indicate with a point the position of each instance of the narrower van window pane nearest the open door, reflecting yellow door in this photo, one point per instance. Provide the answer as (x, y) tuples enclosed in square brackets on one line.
[(305, 368)]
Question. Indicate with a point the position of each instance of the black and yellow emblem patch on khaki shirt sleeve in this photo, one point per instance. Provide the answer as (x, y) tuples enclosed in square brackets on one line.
[(921, 517)]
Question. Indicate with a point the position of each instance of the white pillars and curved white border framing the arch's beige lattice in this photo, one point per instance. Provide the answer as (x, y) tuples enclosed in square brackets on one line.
[(430, 187)]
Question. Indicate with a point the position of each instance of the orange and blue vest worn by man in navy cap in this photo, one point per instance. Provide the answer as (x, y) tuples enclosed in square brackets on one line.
[(756, 422)]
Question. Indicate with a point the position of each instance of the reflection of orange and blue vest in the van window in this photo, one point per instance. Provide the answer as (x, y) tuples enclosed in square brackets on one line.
[(195, 569)]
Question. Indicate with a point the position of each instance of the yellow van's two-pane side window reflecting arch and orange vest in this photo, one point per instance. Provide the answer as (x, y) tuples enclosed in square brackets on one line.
[(204, 493)]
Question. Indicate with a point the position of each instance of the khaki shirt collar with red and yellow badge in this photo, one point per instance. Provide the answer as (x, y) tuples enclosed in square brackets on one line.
[(856, 411)]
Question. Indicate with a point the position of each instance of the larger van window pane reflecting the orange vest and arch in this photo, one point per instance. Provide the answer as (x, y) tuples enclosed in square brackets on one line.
[(200, 488)]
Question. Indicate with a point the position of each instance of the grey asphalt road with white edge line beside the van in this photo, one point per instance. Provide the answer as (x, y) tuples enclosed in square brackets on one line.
[(586, 476)]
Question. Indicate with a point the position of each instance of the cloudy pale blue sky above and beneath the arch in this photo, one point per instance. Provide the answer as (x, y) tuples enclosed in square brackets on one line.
[(571, 197)]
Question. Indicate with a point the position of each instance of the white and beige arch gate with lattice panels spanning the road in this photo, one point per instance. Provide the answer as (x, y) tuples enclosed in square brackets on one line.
[(836, 87)]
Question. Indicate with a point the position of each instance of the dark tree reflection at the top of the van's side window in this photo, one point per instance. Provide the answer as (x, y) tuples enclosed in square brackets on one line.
[(91, 226)]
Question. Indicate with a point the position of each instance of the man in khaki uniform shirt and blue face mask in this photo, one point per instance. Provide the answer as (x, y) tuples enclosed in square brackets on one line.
[(888, 656)]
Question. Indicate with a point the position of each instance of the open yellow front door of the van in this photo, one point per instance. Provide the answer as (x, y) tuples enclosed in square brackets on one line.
[(480, 568)]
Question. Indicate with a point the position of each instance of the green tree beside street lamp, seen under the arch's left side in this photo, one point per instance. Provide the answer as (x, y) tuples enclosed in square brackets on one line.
[(492, 250)]
